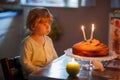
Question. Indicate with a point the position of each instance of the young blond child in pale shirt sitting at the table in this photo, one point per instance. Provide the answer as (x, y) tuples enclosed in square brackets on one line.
[(37, 49)]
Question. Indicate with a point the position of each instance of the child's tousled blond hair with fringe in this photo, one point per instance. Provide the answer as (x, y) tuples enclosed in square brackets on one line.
[(38, 15)]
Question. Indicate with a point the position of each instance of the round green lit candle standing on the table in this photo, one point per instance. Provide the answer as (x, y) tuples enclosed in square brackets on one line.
[(73, 68)]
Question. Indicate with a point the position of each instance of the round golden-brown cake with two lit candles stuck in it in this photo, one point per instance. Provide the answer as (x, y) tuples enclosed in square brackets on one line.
[(89, 48)]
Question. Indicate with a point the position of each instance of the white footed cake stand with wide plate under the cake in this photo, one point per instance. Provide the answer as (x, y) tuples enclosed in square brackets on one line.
[(112, 55)]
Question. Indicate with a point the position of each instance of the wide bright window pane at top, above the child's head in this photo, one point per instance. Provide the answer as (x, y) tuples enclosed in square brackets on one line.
[(52, 3)]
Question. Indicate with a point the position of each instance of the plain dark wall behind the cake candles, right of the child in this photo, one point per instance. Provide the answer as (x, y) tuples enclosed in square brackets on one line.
[(71, 19)]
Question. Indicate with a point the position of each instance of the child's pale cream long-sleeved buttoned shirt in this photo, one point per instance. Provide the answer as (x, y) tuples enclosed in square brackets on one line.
[(35, 56)]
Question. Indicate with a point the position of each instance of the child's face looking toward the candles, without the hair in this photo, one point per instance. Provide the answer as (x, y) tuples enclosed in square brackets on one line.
[(42, 28)]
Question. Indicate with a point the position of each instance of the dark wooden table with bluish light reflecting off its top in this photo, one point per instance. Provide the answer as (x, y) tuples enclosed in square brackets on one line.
[(57, 71)]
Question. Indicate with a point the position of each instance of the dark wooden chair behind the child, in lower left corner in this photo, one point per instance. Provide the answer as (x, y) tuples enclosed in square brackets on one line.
[(12, 69)]
